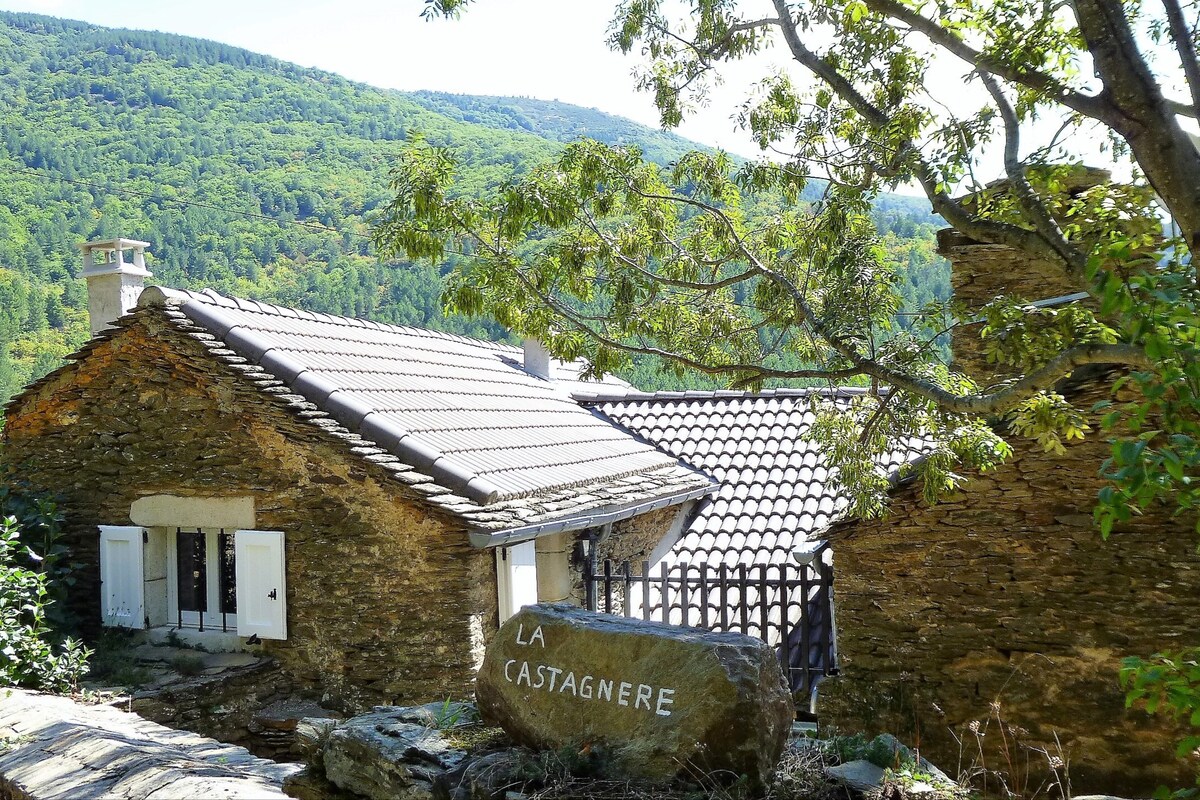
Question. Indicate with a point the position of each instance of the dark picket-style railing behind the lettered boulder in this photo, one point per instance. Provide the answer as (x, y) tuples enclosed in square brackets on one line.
[(788, 606)]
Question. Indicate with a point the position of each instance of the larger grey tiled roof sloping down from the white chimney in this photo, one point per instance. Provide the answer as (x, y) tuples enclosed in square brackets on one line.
[(484, 438)]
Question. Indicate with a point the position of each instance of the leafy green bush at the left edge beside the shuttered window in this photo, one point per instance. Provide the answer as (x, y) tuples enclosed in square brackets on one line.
[(31, 657)]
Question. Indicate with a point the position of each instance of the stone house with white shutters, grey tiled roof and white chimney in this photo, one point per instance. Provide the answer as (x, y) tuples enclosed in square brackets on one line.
[(363, 503)]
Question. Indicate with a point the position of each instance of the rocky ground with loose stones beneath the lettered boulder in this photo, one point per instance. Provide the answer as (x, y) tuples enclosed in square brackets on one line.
[(441, 751)]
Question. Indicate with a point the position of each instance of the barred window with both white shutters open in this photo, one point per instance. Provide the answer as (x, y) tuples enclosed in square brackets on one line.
[(196, 579)]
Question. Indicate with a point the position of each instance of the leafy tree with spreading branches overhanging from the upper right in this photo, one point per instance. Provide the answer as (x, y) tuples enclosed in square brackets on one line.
[(609, 257)]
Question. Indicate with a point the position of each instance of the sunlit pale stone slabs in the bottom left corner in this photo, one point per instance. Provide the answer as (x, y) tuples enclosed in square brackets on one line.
[(52, 749)]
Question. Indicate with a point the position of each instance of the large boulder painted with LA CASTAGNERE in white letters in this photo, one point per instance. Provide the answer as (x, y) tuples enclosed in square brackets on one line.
[(661, 700)]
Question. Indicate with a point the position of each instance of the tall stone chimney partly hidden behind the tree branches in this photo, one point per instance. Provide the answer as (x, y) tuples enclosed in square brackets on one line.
[(981, 273)]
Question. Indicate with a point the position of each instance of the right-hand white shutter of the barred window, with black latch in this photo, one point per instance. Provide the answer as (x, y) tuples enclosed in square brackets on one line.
[(262, 590)]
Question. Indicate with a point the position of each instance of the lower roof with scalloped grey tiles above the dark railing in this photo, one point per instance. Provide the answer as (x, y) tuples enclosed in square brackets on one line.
[(776, 494)]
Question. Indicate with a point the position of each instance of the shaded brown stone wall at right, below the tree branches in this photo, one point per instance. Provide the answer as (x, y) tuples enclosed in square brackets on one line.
[(1007, 593)]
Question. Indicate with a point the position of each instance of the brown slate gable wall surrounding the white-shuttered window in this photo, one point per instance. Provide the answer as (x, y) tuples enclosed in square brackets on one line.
[(387, 600)]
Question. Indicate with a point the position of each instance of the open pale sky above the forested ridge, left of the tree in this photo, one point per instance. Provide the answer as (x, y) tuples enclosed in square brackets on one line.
[(551, 50)]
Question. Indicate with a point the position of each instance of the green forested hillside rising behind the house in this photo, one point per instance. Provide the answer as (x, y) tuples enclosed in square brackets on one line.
[(260, 178)]
